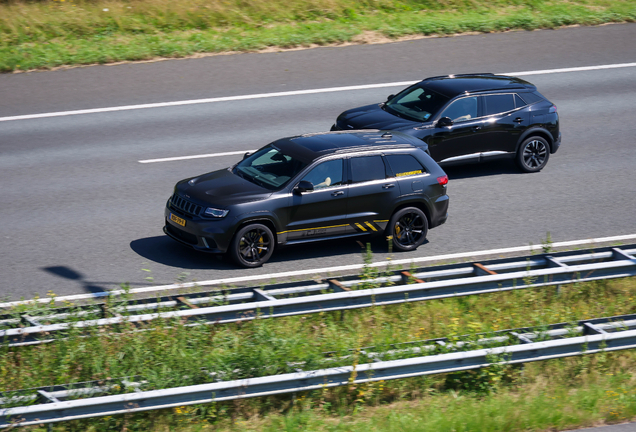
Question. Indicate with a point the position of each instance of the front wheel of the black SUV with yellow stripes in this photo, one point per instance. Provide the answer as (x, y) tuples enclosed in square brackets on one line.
[(252, 246)]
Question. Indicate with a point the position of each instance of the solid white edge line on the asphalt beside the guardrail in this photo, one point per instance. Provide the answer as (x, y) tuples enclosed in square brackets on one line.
[(323, 271)]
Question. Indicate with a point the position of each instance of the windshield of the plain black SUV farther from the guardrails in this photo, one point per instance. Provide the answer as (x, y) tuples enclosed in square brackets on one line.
[(416, 103)]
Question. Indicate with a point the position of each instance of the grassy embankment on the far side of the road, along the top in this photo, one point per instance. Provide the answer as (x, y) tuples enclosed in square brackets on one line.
[(49, 33)]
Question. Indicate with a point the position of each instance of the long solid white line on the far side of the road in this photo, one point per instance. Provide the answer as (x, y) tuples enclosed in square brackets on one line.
[(289, 93)]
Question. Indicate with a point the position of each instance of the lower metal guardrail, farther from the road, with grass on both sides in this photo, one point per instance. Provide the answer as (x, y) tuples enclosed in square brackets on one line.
[(599, 335)]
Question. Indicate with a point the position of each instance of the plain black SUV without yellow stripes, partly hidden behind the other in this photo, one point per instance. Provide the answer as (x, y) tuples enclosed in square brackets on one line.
[(469, 118)]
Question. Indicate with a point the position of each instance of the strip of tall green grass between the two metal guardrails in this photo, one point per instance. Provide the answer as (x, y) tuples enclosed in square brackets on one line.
[(169, 353)]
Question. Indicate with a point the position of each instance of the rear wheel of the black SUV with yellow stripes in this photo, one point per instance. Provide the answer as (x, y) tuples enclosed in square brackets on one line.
[(408, 228)]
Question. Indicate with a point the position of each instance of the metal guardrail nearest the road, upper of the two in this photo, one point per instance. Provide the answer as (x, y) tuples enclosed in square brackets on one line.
[(431, 283)]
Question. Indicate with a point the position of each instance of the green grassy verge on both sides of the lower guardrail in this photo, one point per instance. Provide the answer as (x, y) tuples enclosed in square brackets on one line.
[(555, 394)]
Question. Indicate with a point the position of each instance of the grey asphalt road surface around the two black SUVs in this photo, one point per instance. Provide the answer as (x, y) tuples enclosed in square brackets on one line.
[(80, 213)]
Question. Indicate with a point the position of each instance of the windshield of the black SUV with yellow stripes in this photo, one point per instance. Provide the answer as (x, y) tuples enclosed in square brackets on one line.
[(269, 168)]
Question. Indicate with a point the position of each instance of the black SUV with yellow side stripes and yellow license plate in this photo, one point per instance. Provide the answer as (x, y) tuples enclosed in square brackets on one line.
[(308, 188)]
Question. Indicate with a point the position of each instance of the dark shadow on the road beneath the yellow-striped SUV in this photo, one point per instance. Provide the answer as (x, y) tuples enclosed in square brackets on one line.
[(166, 251)]
